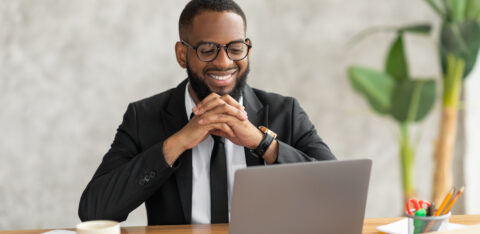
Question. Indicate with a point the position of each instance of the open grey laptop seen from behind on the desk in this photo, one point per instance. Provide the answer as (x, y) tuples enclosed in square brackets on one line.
[(316, 197)]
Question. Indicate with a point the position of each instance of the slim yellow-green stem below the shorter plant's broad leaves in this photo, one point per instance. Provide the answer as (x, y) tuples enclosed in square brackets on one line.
[(407, 156)]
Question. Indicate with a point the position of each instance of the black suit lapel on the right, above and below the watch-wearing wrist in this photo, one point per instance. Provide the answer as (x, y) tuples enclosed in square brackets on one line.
[(258, 116)]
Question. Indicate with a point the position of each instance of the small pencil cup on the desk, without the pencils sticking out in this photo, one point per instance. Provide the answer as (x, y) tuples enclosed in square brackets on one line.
[(426, 224)]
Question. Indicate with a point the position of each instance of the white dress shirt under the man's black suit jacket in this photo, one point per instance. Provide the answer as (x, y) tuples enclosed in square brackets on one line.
[(201, 169)]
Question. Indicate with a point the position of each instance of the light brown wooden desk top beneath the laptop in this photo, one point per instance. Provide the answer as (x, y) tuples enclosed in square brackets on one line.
[(368, 227)]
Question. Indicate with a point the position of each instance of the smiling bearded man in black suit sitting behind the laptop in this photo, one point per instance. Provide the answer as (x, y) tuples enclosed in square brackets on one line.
[(177, 151)]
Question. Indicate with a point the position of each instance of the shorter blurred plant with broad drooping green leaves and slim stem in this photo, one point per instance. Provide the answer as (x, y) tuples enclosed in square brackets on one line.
[(394, 93)]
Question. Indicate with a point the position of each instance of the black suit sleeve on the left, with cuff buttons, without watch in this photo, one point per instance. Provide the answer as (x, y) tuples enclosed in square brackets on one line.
[(126, 177)]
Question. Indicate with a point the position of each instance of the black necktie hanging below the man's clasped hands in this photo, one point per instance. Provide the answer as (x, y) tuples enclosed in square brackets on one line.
[(218, 182)]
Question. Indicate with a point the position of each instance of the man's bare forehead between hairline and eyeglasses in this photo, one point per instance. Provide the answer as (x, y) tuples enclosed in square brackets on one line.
[(219, 27)]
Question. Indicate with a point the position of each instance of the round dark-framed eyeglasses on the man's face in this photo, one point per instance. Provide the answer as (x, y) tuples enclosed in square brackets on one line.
[(208, 51)]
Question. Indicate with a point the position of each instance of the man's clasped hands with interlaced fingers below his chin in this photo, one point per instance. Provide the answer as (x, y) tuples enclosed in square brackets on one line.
[(217, 115)]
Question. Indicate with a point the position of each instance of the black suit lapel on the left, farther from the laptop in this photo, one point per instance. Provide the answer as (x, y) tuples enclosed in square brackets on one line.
[(175, 119)]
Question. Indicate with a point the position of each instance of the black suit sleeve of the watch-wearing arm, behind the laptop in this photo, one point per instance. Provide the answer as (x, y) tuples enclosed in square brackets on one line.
[(306, 145)]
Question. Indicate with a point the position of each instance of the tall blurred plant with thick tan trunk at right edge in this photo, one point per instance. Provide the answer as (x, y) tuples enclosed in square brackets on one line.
[(459, 43)]
